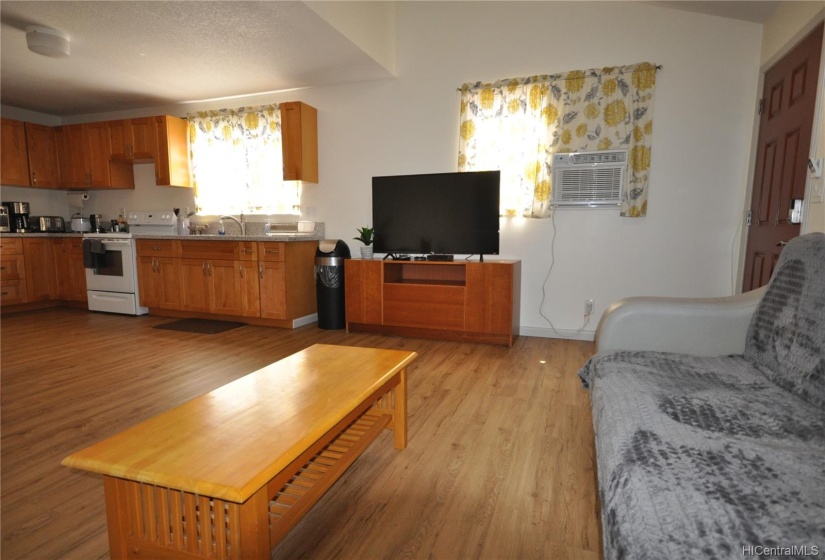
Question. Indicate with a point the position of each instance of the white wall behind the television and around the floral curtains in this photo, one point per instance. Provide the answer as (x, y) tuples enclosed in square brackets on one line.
[(705, 99)]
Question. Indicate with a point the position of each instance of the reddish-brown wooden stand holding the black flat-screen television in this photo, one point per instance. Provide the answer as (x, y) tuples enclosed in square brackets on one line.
[(466, 301)]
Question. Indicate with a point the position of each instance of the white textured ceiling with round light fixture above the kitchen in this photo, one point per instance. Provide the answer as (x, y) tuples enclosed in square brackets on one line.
[(136, 54)]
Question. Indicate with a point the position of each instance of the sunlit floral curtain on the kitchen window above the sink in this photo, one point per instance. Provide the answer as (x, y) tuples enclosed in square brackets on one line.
[(237, 163)]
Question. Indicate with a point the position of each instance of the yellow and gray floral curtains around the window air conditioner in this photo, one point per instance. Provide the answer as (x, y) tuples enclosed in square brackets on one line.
[(517, 124)]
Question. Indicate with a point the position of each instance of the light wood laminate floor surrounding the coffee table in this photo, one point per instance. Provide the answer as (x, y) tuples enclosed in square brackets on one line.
[(500, 462)]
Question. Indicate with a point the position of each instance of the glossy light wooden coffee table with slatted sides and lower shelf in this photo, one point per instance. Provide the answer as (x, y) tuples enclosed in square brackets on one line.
[(227, 474)]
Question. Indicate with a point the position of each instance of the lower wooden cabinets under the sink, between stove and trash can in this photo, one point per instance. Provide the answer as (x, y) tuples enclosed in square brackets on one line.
[(272, 281)]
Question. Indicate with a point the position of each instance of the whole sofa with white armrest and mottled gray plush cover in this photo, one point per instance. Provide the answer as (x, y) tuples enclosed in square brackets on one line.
[(710, 442)]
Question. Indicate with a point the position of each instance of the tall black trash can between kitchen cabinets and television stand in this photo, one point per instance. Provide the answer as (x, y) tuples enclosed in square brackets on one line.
[(329, 283)]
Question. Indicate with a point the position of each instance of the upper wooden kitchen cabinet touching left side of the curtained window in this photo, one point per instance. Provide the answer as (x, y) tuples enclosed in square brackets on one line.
[(172, 157)]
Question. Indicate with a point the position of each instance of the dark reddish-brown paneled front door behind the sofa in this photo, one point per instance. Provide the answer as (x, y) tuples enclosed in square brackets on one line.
[(785, 129)]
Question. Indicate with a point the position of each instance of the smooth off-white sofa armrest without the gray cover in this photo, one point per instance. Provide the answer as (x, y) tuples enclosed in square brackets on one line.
[(698, 326)]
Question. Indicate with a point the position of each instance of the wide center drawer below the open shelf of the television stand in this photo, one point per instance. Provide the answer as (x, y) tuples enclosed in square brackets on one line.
[(426, 307)]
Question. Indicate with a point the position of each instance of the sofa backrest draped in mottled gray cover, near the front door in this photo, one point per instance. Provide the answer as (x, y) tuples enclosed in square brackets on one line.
[(786, 338)]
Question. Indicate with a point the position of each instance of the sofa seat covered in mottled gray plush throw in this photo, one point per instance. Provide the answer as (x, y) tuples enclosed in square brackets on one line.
[(700, 457)]
